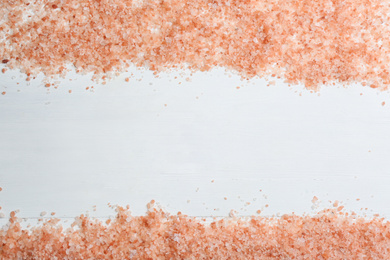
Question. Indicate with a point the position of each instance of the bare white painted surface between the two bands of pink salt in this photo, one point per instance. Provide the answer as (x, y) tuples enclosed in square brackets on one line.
[(66, 152)]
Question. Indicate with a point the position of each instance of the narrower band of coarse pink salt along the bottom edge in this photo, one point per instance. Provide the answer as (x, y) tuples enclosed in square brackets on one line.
[(159, 235)]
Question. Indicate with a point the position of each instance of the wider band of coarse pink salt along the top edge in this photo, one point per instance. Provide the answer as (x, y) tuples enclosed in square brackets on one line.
[(310, 42)]
